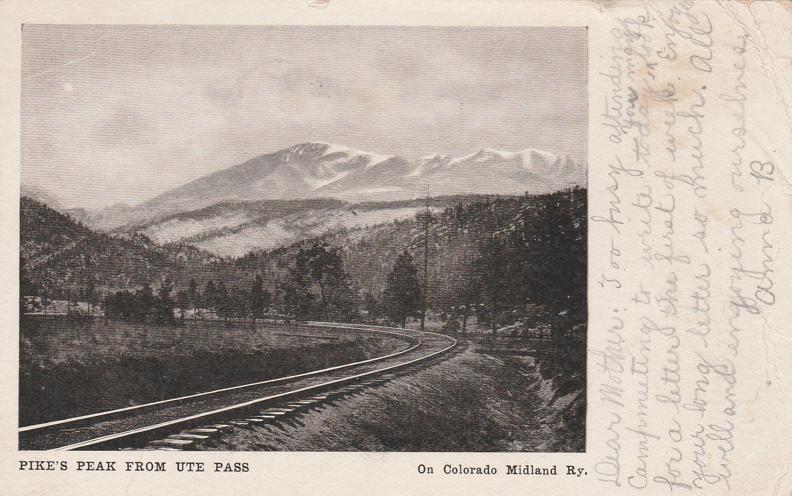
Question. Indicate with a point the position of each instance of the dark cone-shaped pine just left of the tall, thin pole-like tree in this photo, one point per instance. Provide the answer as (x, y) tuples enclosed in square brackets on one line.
[(403, 292)]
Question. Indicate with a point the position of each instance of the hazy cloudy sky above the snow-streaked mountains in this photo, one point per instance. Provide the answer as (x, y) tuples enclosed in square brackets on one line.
[(118, 114)]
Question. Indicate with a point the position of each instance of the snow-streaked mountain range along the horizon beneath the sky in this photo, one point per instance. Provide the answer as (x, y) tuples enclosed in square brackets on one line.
[(325, 170)]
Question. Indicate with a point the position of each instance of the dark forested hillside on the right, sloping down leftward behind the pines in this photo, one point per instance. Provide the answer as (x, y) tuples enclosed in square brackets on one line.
[(501, 258)]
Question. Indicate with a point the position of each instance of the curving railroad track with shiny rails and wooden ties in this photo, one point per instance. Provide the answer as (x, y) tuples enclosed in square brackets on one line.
[(179, 423)]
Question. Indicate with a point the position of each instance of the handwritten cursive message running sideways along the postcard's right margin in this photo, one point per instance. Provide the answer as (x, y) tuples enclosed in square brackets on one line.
[(686, 274)]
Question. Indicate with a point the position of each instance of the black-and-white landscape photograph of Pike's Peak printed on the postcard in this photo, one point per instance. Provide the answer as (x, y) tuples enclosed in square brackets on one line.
[(303, 238)]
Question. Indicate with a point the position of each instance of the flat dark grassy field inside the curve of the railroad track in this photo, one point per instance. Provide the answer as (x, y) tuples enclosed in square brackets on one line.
[(70, 367)]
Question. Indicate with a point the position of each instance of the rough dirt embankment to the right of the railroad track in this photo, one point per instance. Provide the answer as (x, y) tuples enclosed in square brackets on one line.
[(470, 402)]
